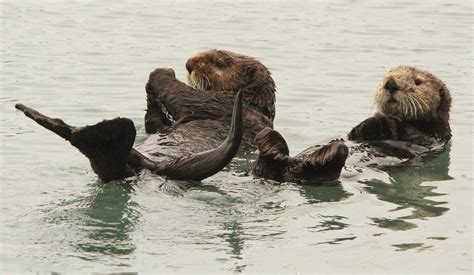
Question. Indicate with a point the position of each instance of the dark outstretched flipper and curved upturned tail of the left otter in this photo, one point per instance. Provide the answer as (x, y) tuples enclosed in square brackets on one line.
[(108, 146)]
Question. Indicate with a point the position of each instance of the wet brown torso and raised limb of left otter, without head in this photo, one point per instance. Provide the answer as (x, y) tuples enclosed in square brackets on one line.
[(183, 121)]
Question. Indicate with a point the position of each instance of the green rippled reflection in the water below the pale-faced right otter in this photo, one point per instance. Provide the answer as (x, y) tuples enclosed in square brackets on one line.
[(408, 190)]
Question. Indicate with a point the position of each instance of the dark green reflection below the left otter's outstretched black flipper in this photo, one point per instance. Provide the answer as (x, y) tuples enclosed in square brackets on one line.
[(108, 220)]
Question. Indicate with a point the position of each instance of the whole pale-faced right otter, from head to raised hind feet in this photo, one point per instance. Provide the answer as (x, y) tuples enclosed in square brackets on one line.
[(412, 121)]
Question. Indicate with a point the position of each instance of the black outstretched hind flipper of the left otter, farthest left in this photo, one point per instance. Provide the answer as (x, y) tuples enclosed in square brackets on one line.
[(106, 144)]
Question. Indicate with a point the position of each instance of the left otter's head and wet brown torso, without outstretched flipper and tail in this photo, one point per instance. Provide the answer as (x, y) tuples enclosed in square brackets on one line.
[(201, 111)]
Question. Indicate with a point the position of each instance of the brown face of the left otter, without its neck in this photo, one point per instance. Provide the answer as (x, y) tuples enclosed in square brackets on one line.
[(223, 70)]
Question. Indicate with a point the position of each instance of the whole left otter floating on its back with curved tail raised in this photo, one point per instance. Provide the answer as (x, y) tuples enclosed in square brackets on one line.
[(182, 121)]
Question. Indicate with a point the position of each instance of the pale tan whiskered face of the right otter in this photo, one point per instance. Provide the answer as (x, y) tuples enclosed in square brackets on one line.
[(411, 93)]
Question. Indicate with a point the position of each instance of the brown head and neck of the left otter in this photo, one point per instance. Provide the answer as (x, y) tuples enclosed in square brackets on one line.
[(220, 70)]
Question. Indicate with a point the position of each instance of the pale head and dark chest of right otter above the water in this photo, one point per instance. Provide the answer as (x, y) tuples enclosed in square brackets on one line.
[(416, 112)]
